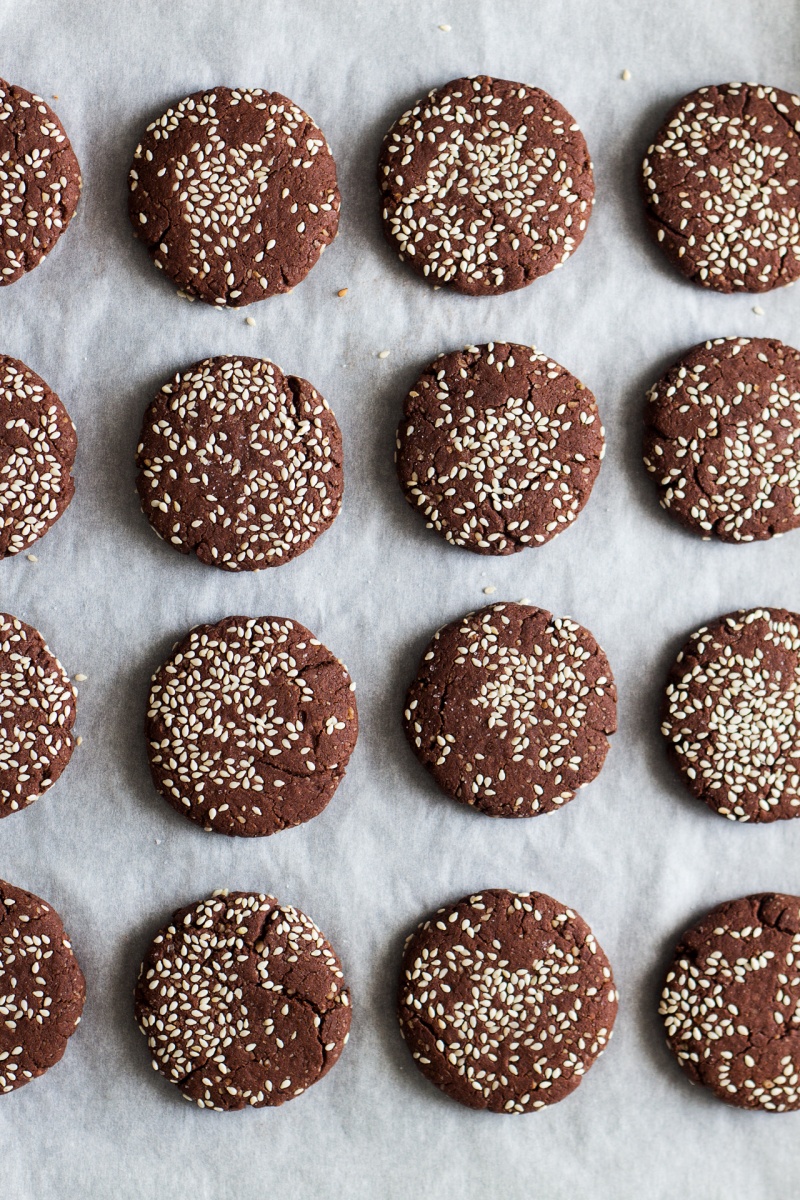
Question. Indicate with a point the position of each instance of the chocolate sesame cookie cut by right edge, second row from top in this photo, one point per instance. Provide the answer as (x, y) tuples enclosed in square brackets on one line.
[(723, 439)]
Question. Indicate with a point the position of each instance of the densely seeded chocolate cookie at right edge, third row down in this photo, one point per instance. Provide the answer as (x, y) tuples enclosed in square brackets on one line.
[(732, 715)]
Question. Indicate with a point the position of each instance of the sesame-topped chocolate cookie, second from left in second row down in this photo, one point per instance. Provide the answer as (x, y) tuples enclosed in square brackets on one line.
[(240, 464)]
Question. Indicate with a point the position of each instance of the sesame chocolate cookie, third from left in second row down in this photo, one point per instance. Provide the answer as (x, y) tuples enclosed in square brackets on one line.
[(500, 448)]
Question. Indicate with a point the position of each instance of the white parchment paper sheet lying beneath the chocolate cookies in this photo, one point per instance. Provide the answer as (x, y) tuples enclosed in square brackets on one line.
[(635, 854)]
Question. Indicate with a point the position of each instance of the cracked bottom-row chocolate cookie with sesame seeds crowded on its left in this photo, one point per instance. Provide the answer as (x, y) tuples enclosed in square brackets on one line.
[(243, 1003)]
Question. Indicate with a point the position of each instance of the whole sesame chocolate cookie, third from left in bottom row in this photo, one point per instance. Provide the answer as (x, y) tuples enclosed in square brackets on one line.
[(507, 1000)]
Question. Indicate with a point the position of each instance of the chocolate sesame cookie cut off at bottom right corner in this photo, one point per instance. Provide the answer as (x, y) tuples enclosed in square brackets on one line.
[(731, 1003)]
